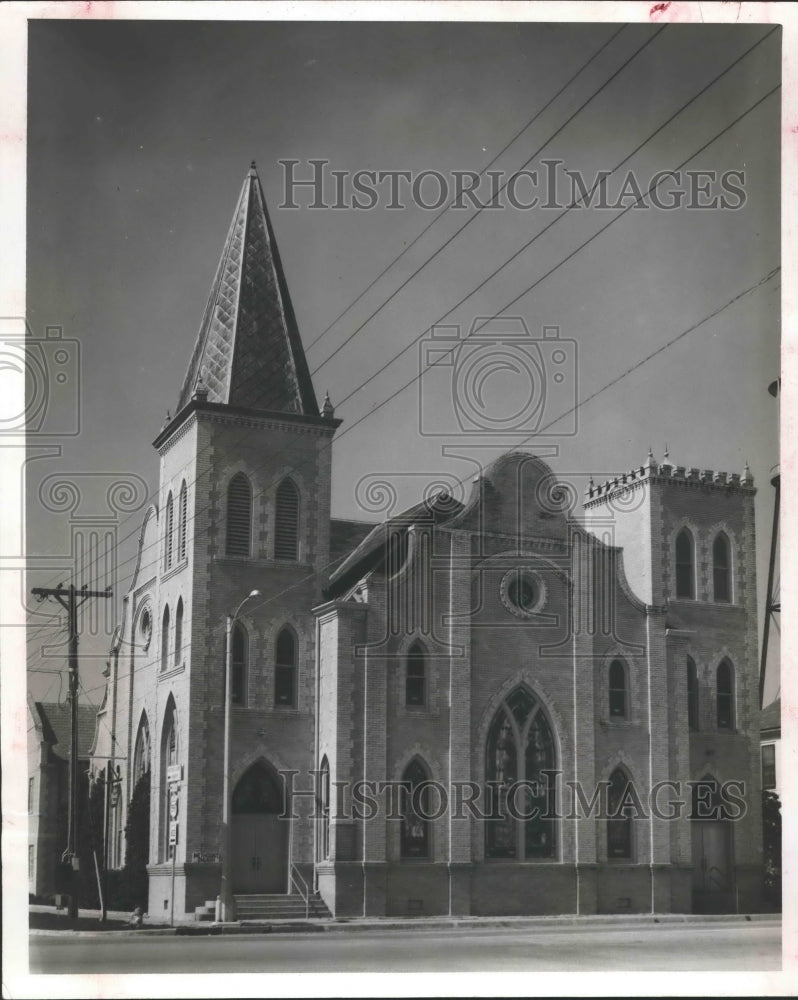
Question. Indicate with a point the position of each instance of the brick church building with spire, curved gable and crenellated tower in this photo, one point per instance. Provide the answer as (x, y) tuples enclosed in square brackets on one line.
[(488, 707)]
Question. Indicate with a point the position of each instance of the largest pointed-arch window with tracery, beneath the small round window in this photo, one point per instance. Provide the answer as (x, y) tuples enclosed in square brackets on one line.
[(520, 749)]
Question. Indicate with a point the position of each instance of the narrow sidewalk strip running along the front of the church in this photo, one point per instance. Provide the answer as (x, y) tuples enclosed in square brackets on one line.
[(189, 926)]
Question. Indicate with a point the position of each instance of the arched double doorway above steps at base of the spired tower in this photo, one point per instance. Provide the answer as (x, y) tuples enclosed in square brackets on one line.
[(259, 836)]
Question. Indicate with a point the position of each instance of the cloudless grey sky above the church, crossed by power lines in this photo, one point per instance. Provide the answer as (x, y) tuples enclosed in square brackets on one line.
[(139, 135)]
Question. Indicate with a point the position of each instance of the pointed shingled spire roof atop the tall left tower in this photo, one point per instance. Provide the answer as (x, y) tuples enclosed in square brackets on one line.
[(248, 352)]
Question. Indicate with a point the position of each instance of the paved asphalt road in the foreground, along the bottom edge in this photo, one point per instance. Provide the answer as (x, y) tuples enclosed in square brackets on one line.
[(691, 946)]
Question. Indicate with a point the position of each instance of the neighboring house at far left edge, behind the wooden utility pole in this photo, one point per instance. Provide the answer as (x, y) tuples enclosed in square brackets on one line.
[(49, 741)]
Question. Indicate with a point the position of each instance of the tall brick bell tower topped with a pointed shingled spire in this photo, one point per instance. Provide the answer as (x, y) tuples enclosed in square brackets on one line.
[(245, 491)]
